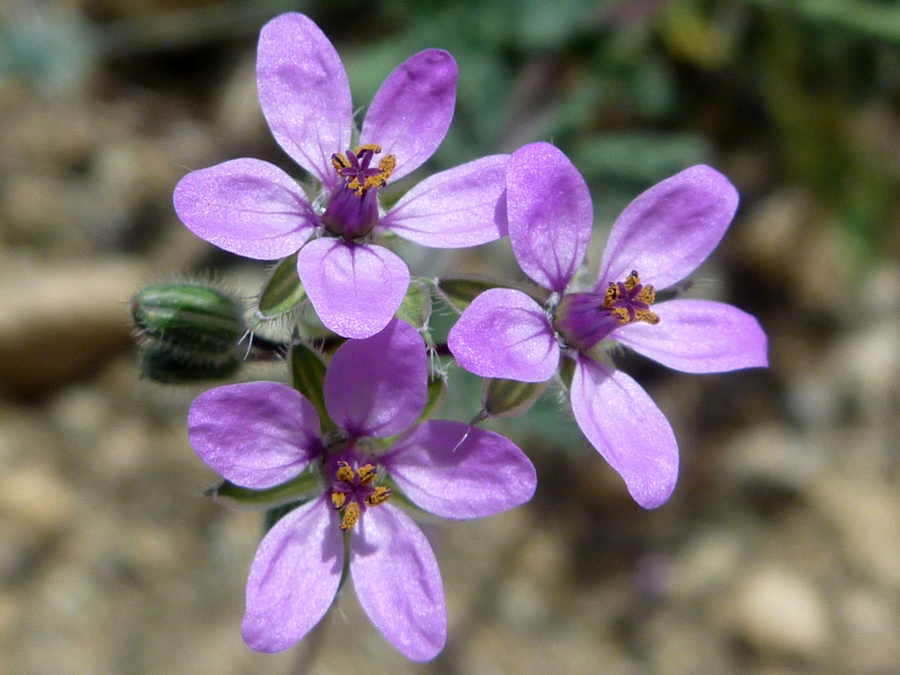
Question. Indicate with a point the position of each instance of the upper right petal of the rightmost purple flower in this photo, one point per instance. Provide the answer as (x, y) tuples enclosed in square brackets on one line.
[(670, 229)]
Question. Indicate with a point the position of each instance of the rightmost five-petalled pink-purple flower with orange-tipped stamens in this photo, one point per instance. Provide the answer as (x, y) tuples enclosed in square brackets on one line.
[(658, 240)]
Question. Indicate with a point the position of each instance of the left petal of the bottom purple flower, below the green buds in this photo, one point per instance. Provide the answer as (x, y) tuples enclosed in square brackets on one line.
[(255, 434)]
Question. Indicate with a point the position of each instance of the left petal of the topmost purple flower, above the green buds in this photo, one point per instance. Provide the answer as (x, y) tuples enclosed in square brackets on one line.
[(246, 206)]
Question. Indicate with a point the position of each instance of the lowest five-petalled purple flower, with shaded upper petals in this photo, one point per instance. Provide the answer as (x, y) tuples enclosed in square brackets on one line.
[(262, 434)]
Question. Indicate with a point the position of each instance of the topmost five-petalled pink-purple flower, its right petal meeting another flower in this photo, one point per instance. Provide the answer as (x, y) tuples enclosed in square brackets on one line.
[(254, 209)]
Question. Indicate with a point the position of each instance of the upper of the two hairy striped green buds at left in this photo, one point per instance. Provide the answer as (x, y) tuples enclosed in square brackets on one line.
[(189, 317)]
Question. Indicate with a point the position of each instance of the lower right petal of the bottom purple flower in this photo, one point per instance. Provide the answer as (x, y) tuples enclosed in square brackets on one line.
[(398, 582)]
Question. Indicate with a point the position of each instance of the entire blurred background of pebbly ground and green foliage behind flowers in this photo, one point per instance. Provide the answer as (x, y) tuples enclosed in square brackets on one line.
[(779, 553)]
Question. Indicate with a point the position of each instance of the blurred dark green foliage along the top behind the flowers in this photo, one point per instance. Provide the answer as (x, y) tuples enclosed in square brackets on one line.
[(632, 90)]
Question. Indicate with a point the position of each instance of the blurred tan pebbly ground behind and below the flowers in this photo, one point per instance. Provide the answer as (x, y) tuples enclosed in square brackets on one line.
[(779, 553)]
